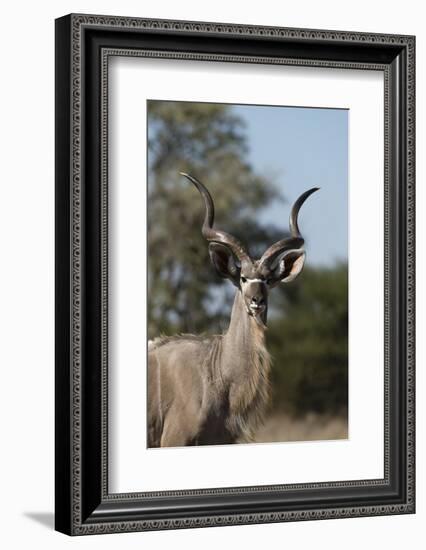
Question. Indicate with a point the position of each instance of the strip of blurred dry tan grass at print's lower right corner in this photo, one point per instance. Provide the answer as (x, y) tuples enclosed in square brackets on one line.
[(311, 427)]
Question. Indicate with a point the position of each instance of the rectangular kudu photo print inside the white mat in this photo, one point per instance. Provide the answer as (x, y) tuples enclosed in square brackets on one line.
[(247, 311)]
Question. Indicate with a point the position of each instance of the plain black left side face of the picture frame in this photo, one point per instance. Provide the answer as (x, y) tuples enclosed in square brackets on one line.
[(63, 495)]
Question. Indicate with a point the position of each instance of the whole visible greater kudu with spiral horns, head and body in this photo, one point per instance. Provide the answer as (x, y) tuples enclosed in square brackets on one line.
[(213, 390)]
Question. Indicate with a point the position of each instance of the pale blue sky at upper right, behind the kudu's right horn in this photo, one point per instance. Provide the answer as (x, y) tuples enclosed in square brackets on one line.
[(299, 148)]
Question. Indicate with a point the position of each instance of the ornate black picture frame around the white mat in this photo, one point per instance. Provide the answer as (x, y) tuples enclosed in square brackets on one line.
[(83, 45)]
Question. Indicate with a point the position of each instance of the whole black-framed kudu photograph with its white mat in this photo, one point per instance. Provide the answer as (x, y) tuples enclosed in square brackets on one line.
[(234, 274)]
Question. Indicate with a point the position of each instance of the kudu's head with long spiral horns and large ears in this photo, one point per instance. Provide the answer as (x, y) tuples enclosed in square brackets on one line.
[(282, 262)]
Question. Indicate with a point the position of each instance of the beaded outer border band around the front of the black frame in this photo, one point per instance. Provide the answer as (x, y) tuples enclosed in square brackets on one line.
[(77, 22)]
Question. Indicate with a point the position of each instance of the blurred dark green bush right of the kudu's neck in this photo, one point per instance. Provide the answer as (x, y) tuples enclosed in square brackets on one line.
[(309, 342)]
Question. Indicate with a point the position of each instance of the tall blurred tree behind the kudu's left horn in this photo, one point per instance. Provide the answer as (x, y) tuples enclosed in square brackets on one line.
[(207, 140)]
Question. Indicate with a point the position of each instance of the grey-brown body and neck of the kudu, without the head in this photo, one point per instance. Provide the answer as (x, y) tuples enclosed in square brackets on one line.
[(212, 390)]
